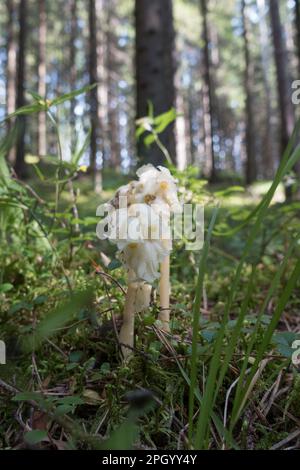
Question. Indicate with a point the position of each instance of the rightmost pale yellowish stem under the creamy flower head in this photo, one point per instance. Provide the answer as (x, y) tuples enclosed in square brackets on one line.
[(164, 292)]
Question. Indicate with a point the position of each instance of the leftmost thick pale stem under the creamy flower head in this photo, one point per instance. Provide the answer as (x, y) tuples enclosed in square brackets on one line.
[(126, 336)]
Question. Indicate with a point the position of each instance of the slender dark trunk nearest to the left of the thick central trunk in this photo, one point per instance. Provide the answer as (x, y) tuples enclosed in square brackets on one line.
[(94, 103)]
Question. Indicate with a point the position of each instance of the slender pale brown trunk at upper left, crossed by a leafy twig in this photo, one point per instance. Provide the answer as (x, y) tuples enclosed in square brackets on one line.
[(42, 138)]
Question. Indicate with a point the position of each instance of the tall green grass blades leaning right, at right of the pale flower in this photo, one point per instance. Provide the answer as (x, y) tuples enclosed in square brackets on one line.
[(222, 351)]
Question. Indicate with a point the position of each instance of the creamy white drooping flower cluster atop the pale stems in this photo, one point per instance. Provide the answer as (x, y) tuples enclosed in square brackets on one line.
[(141, 229)]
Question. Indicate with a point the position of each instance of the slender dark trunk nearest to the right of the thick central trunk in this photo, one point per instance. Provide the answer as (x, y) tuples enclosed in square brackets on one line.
[(207, 97)]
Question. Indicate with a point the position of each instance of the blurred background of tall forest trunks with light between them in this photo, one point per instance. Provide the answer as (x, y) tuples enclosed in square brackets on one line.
[(226, 67)]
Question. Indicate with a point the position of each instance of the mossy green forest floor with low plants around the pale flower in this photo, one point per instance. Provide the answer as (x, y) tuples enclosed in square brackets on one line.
[(67, 387)]
